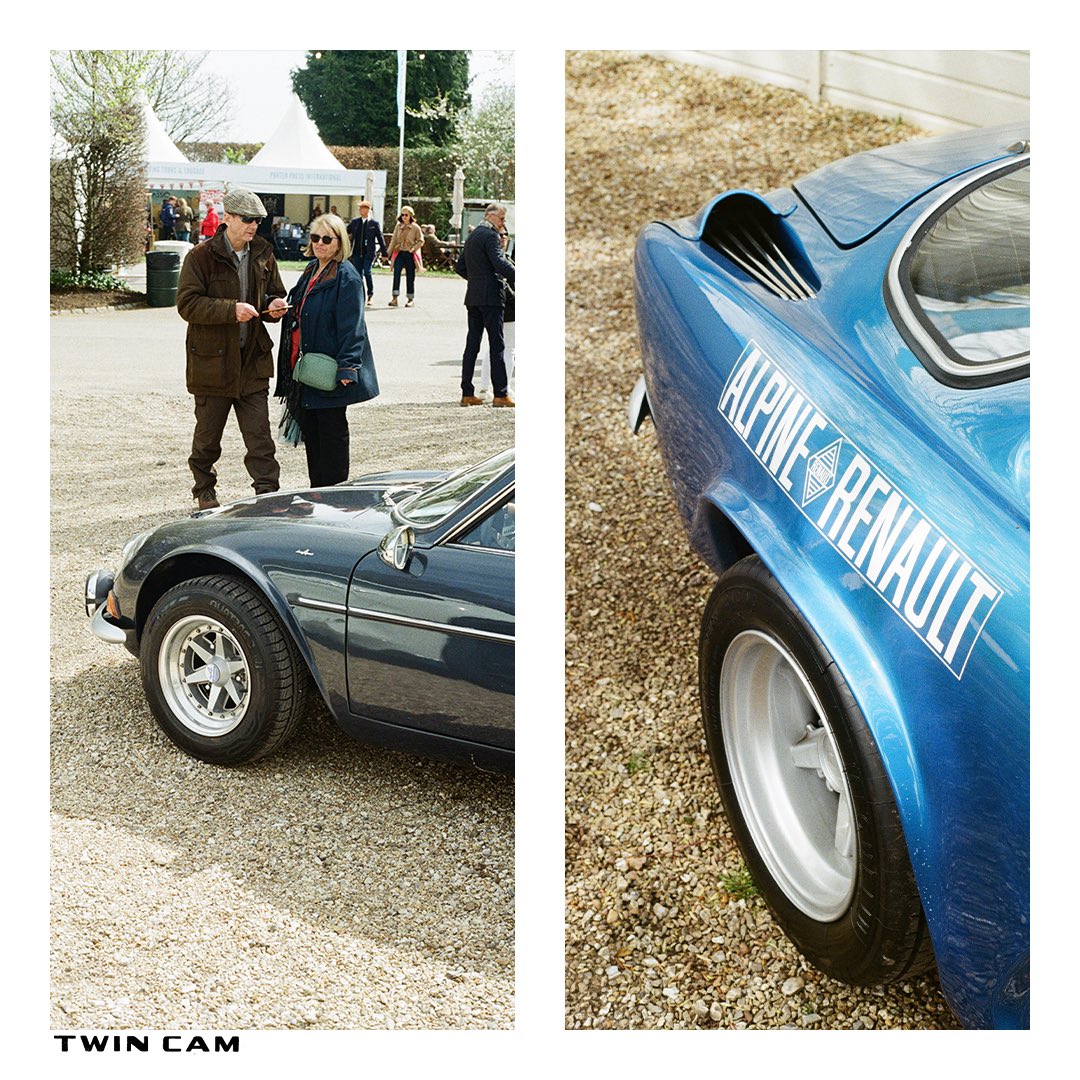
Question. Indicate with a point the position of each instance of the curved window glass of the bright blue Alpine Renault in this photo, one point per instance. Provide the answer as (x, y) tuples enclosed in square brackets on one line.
[(970, 275)]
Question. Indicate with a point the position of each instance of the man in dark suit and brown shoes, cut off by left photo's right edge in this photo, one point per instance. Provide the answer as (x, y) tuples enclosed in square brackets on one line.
[(484, 266)]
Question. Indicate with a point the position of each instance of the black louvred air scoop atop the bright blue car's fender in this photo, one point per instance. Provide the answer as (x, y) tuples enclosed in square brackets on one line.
[(746, 232)]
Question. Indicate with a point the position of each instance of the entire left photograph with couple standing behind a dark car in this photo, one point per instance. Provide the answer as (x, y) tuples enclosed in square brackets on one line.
[(283, 534)]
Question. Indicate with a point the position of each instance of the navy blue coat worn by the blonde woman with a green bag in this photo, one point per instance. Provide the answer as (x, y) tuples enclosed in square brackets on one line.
[(332, 322)]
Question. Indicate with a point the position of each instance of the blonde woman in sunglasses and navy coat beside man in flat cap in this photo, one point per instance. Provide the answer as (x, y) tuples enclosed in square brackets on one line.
[(327, 316)]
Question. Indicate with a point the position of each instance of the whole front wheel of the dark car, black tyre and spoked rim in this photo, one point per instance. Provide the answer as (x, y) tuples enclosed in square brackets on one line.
[(258, 684)]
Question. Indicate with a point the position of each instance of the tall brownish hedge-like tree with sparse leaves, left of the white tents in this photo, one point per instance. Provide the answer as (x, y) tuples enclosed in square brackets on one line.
[(98, 180)]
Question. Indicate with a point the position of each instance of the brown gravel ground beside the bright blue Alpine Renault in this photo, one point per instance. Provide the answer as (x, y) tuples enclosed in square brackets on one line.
[(663, 928)]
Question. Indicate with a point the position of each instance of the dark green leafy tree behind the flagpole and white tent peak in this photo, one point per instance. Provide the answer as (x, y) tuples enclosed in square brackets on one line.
[(352, 96)]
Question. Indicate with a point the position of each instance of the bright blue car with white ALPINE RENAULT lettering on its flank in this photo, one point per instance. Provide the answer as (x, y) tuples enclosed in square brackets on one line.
[(839, 377)]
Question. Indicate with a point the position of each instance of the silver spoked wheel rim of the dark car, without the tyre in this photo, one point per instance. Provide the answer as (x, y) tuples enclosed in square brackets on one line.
[(205, 676)]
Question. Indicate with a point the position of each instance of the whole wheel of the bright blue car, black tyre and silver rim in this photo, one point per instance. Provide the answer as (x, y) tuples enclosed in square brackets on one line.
[(804, 787)]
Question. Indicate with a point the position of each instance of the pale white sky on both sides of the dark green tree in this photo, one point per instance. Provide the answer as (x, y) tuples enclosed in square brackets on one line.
[(262, 86)]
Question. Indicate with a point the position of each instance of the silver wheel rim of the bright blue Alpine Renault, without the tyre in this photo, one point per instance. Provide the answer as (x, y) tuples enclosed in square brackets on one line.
[(788, 776)]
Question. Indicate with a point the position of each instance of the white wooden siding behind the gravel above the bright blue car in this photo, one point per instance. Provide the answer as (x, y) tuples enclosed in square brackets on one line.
[(941, 91)]
